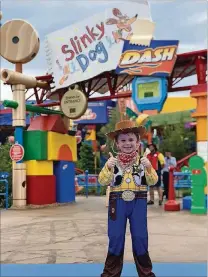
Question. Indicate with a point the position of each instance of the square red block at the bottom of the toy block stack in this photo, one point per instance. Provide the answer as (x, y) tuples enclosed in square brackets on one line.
[(41, 190)]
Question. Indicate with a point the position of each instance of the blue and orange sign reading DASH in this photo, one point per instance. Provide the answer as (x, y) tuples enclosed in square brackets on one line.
[(158, 59)]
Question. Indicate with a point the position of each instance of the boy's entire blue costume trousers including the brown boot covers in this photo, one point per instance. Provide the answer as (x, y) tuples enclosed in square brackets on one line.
[(118, 213)]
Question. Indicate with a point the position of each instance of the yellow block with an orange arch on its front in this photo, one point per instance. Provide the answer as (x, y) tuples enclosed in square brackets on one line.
[(62, 147)]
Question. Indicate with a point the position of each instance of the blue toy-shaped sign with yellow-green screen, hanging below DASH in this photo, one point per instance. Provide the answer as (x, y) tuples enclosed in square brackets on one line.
[(149, 93)]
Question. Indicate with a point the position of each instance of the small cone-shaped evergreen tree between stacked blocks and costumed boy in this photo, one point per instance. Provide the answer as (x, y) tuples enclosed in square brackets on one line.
[(86, 161)]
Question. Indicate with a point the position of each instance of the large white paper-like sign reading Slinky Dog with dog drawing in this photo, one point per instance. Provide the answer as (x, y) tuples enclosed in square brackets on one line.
[(88, 48)]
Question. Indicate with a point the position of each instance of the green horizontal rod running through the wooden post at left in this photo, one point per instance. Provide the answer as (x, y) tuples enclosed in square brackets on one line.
[(30, 108)]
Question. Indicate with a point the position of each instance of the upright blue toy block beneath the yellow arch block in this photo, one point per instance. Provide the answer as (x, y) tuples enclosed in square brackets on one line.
[(65, 184)]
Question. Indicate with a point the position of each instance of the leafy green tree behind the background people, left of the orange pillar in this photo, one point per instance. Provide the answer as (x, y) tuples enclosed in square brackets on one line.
[(177, 140)]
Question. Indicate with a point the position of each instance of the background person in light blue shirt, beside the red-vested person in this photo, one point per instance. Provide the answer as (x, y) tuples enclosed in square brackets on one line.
[(169, 161)]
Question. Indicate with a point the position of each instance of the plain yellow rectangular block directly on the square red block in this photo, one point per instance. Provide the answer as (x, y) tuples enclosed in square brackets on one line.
[(39, 167)]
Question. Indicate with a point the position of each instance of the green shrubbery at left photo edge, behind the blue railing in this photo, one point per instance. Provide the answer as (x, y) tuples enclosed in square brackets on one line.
[(5, 166)]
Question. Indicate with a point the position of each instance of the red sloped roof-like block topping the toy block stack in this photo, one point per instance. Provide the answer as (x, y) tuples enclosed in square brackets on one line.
[(53, 123)]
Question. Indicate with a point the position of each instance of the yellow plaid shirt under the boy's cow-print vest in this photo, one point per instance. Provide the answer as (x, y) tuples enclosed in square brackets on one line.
[(106, 177)]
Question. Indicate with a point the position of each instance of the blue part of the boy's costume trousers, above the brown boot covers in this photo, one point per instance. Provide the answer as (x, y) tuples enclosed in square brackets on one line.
[(136, 212)]
